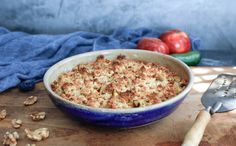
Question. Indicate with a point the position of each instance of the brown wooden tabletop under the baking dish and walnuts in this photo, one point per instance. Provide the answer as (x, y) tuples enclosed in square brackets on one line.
[(64, 131)]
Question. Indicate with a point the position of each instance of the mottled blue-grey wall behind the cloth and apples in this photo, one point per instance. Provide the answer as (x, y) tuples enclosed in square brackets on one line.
[(213, 21)]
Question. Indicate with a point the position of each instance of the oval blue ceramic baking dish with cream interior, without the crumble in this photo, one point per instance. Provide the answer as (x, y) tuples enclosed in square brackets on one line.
[(119, 118)]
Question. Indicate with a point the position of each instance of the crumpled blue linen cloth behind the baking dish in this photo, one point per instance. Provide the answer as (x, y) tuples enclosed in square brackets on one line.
[(24, 58)]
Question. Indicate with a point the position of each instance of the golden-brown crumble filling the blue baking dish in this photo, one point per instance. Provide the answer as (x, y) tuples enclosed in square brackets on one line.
[(118, 83)]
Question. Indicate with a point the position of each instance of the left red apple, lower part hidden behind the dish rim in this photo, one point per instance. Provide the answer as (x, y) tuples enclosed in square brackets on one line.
[(153, 44)]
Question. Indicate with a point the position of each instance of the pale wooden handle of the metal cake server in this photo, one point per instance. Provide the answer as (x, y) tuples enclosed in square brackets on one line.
[(194, 135)]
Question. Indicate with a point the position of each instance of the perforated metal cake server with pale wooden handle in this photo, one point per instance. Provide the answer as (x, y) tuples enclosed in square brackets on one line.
[(219, 97)]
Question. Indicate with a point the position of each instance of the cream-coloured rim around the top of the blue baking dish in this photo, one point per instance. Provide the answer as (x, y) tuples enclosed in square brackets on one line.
[(108, 110)]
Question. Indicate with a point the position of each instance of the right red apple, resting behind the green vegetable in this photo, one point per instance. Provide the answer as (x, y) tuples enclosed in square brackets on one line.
[(177, 41)]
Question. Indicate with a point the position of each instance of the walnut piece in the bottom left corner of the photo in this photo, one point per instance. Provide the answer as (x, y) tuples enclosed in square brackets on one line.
[(10, 139)]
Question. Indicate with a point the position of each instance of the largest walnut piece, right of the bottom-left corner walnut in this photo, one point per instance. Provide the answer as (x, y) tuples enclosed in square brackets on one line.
[(38, 134)]
